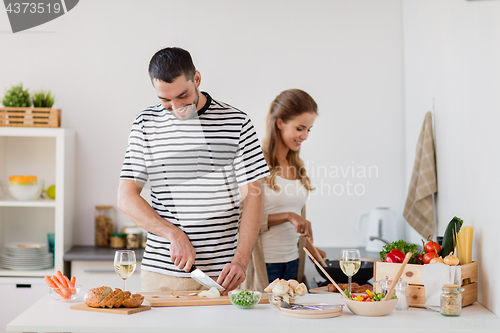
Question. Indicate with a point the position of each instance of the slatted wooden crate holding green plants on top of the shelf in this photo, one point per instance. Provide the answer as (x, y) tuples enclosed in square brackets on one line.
[(30, 117)]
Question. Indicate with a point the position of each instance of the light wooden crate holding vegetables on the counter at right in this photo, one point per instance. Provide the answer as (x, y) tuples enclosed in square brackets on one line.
[(416, 291)]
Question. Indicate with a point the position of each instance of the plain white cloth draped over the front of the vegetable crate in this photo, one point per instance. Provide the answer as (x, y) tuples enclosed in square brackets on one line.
[(435, 276)]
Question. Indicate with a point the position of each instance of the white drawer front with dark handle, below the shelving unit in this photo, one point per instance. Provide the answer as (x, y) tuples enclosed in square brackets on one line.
[(18, 294)]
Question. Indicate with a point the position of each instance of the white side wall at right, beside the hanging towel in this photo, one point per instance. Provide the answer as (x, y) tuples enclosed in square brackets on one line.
[(452, 66)]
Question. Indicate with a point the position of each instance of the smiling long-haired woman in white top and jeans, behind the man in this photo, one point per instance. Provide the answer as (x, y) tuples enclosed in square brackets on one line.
[(289, 121)]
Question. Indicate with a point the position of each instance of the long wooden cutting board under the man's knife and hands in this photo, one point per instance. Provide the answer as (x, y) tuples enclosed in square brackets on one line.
[(165, 298)]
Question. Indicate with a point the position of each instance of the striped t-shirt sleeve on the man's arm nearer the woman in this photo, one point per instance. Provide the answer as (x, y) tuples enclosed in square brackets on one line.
[(249, 162)]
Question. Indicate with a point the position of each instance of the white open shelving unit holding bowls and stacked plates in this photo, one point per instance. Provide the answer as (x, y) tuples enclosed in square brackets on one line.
[(47, 153)]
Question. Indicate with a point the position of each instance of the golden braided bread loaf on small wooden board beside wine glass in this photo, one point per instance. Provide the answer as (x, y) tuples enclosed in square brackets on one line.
[(105, 297)]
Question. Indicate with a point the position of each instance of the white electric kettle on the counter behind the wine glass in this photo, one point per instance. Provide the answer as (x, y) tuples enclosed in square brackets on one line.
[(382, 228)]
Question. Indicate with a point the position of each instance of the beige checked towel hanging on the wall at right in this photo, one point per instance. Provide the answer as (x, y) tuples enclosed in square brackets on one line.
[(419, 208)]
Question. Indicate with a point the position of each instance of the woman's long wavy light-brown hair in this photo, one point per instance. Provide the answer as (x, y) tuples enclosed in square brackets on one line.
[(286, 106)]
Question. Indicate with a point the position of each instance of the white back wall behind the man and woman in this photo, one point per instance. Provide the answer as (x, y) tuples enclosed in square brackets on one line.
[(347, 54)]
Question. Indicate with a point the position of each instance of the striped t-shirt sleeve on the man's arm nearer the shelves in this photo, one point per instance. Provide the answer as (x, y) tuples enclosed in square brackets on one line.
[(134, 165)]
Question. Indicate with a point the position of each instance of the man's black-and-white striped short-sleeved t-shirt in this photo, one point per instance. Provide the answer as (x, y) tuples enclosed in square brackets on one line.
[(195, 167)]
